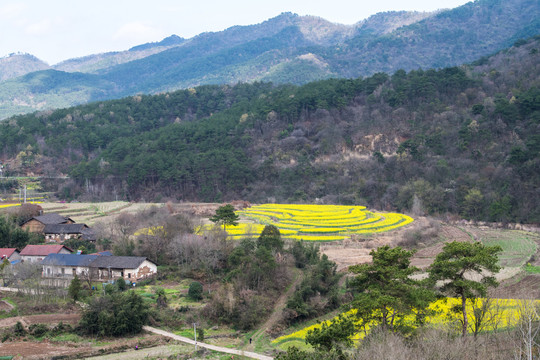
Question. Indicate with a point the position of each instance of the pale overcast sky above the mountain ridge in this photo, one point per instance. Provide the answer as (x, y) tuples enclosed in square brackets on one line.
[(56, 30)]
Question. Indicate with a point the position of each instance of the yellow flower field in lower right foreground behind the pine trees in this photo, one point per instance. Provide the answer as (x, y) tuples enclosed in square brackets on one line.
[(497, 314)]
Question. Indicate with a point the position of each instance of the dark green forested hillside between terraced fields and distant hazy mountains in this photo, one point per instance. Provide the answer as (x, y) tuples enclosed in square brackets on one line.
[(460, 140)]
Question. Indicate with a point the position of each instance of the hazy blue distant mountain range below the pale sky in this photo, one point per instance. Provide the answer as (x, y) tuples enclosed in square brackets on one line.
[(287, 49)]
